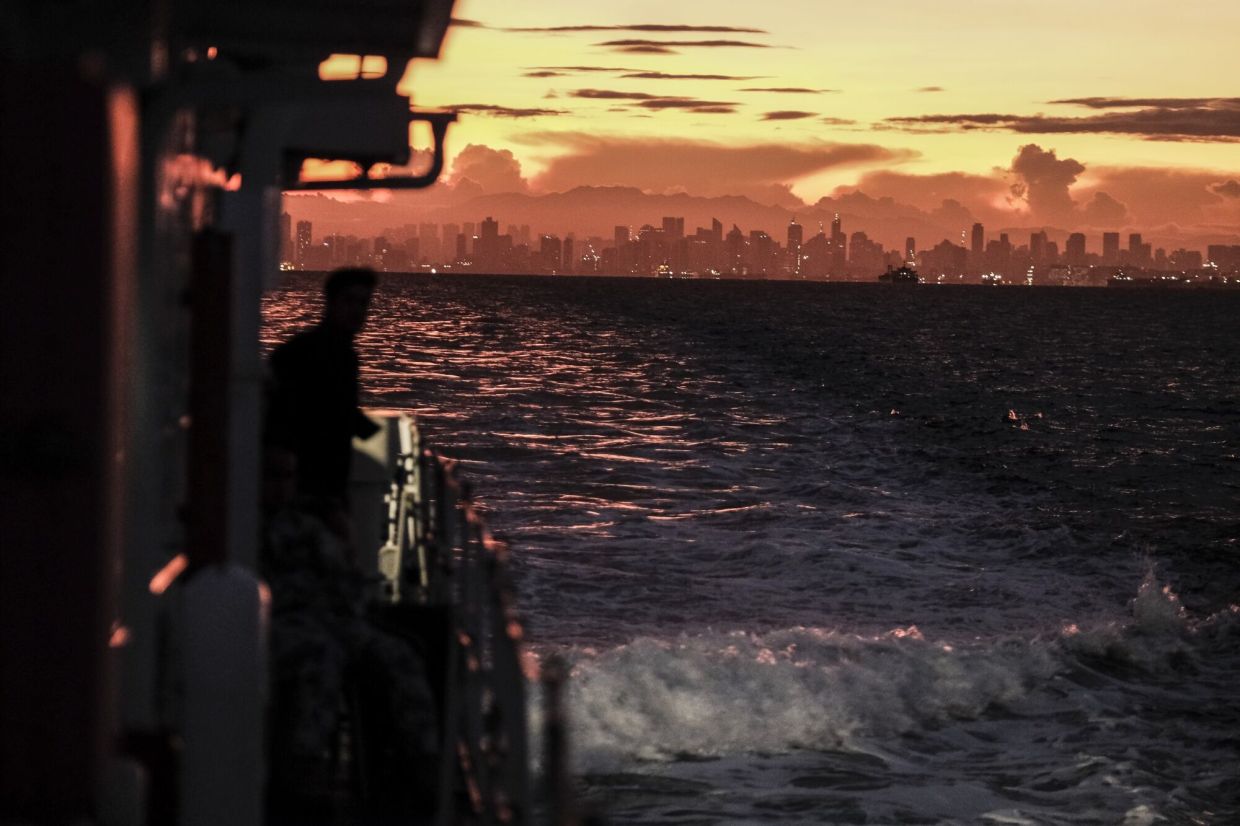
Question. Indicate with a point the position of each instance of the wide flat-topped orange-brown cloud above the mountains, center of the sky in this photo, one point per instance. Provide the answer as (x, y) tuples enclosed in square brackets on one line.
[(761, 172)]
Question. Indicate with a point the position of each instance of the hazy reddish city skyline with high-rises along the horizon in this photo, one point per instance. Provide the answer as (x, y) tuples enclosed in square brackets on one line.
[(709, 252)]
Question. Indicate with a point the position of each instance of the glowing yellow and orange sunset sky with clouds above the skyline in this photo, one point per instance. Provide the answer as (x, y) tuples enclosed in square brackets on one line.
[(1083, 113)]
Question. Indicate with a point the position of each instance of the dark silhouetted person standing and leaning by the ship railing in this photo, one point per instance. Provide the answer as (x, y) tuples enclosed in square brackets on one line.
[(313, 407)]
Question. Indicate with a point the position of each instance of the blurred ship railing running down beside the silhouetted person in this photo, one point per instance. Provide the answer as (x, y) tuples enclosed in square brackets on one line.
[(441, 561)]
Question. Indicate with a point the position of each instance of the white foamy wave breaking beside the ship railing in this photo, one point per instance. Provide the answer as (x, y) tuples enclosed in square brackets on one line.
[(810, 689)]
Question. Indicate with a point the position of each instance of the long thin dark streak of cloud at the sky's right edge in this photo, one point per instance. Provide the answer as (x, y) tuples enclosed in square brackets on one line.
[(1182, 120)]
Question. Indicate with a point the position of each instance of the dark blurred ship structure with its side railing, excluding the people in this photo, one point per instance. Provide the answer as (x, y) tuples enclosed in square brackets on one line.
[(142, 153)]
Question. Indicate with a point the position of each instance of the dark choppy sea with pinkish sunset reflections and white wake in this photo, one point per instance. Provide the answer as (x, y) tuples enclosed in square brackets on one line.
[(854, 554)]
